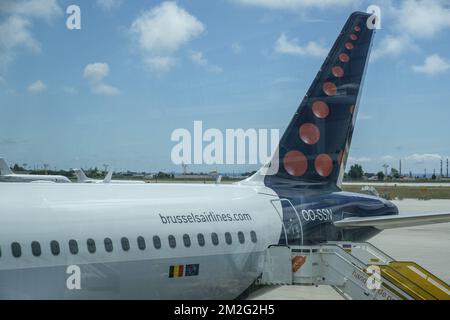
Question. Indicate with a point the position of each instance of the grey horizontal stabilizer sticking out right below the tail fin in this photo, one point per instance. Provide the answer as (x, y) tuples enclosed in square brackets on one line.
[(397, 221)]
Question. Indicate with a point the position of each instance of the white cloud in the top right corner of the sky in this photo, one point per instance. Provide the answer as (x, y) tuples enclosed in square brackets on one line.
[(423, 18)]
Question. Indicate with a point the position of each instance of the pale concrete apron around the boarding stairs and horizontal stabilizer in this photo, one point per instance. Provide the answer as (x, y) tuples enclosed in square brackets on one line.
[(429, 246)]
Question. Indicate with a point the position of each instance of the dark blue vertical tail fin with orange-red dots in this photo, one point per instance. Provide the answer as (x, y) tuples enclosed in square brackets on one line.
[(313, 150)]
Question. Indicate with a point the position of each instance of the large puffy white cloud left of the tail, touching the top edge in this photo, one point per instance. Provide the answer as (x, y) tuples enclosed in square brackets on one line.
[(162, 31)]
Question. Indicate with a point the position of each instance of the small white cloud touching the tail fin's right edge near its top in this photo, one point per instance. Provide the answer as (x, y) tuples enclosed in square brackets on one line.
[(392, 46)]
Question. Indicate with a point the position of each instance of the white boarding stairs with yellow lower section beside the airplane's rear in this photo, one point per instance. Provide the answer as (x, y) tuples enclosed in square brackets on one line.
[(355, 270)]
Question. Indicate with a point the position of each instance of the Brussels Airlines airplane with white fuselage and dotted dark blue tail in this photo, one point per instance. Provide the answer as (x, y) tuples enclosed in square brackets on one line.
[(197, 241)]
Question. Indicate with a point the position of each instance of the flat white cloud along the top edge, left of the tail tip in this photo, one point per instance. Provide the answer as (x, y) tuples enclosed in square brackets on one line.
[(297, 4)]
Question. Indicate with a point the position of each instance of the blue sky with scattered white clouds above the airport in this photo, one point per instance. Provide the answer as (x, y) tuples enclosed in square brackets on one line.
[(114, 91)]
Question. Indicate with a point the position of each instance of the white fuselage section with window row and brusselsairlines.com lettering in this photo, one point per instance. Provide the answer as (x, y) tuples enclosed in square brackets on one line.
[(42, 213)]
